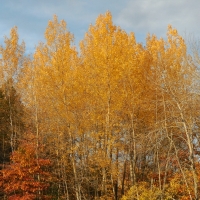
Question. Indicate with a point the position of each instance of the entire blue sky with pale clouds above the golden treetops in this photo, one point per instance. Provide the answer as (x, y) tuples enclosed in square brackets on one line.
[(140, 16)]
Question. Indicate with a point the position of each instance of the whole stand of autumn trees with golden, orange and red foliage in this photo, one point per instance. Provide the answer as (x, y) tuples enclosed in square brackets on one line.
[(115, 119)]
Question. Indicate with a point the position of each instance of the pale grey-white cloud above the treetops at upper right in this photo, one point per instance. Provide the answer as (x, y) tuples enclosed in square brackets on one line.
[(153, 16)]
